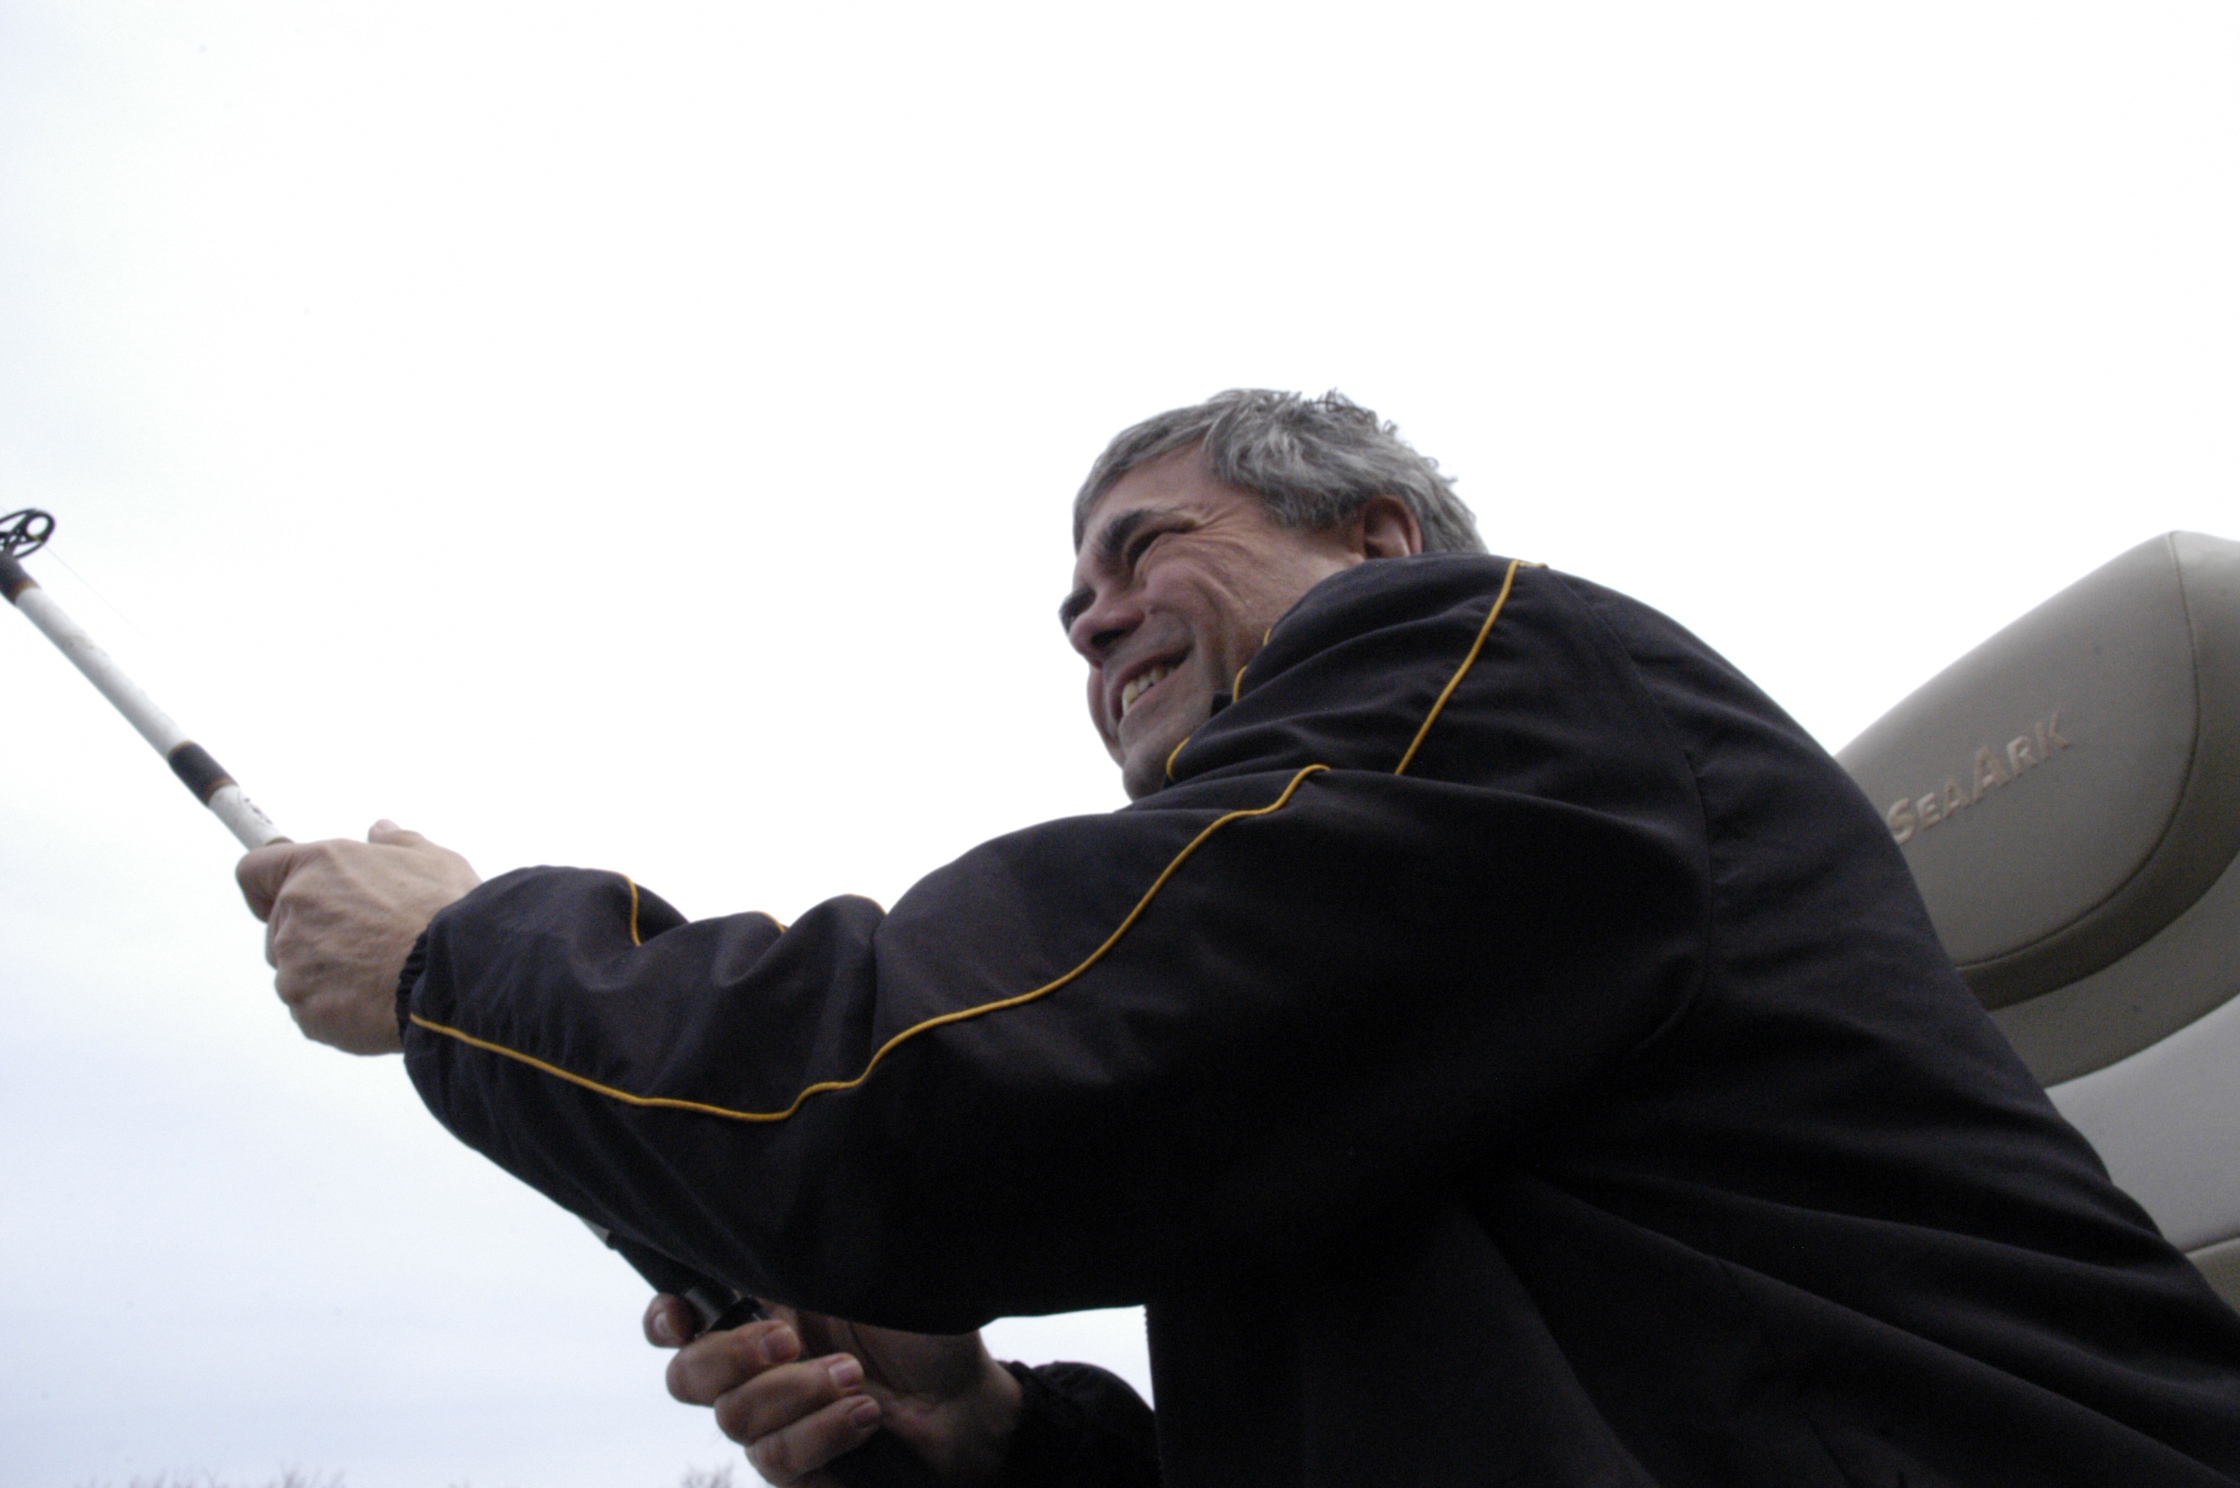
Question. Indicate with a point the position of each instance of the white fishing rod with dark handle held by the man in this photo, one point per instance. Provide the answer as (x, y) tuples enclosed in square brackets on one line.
[(877, 1464)]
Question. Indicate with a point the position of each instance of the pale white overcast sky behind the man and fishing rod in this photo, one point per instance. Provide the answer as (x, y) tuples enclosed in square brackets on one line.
[(642, 436)]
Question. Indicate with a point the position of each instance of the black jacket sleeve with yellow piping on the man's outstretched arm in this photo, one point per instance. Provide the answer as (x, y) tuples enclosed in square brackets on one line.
[(1094, 1059)]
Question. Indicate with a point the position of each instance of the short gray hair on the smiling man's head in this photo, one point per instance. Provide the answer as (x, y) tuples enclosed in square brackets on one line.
[(1312, 461)]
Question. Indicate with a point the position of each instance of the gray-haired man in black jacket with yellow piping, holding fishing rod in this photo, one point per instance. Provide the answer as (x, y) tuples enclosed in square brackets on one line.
[(1497, 1045)]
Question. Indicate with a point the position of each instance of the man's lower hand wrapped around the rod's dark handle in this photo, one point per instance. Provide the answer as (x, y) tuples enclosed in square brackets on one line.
[(799, 1391)]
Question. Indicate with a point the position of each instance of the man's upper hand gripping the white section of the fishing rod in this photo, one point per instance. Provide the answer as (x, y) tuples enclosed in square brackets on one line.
[(339, 922)]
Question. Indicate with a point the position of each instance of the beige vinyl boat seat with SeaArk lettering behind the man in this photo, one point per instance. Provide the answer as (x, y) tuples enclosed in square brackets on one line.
[(2069, 799)]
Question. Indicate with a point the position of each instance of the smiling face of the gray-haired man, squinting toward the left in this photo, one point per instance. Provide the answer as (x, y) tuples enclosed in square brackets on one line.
[(1175, 588)]
